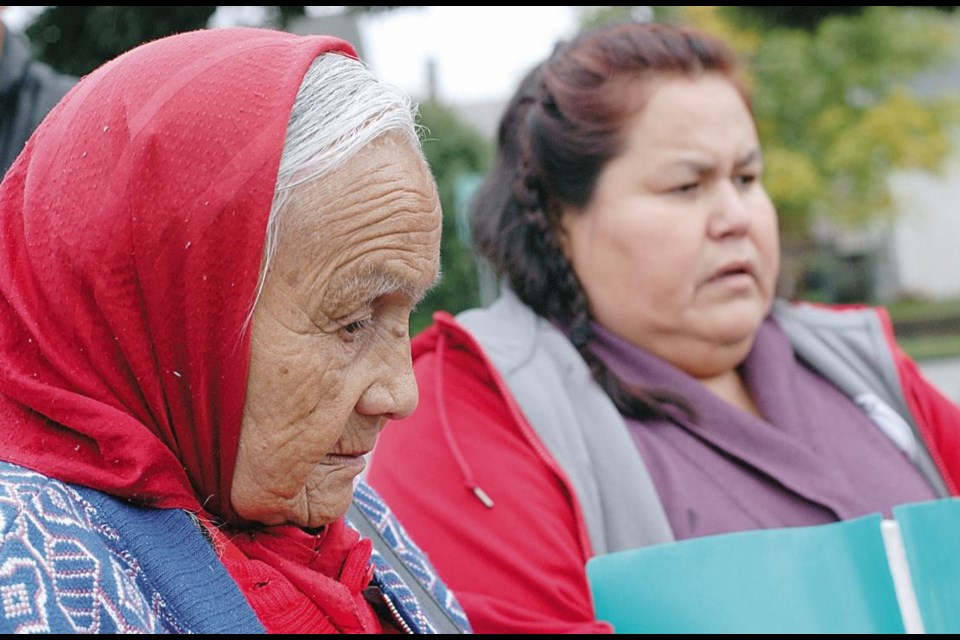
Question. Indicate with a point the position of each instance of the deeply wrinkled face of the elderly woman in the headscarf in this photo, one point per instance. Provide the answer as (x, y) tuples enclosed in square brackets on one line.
[(330, 361)]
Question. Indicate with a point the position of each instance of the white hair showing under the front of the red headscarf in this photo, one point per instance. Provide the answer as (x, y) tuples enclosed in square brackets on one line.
[(340, 108)]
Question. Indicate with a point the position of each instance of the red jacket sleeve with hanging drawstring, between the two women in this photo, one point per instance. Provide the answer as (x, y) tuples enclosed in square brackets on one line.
[(518, 567)]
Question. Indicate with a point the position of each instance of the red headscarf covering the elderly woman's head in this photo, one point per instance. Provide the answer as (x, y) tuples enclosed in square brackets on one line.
[(132, 233)]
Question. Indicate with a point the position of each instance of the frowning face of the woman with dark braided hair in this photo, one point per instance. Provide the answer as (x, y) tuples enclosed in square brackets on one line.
[(678, 249)]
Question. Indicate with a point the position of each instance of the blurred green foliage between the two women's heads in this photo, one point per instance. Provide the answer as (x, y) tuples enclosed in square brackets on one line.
[(452, 149)]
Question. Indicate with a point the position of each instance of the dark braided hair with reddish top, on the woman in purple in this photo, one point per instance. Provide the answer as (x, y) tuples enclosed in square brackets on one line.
[(560, 129)]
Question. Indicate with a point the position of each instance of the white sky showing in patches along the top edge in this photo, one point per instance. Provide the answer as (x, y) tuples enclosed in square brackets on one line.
[(480, 53)]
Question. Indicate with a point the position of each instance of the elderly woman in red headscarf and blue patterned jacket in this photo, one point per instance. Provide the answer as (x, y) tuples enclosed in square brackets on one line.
[(210, 251)]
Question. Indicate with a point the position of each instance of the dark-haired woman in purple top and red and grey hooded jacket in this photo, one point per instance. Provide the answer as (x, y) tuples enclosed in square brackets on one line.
[(637, 382)]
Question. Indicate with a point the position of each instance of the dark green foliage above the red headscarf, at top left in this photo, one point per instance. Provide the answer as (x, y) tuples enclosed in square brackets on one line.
[(77, 40)]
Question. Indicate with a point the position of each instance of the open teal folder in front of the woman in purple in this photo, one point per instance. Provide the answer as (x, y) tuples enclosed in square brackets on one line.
[(846, 577)]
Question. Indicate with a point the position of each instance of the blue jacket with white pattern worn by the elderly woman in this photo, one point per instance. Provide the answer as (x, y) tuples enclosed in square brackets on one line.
[(75, 560)]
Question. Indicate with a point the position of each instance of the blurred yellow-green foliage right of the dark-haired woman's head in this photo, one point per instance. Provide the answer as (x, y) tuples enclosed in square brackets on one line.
[(840, 97)]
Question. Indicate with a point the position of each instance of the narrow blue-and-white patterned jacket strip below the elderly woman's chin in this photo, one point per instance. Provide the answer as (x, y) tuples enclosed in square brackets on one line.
[(390, 583)]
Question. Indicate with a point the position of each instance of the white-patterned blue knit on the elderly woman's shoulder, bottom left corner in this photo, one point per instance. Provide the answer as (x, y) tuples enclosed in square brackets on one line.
[(58, 570)]
